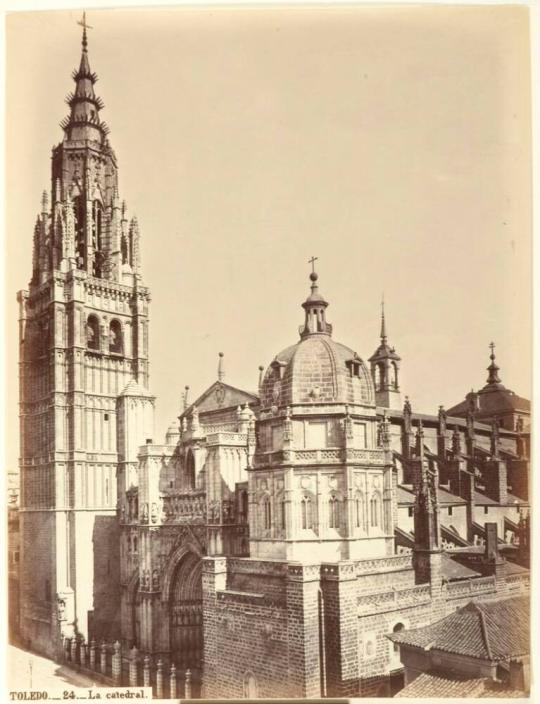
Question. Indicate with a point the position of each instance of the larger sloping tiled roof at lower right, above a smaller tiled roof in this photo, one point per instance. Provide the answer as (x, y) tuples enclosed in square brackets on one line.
[(495, 630)]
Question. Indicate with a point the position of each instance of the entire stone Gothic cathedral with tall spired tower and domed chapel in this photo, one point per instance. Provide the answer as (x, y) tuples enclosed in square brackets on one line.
[(276, 540)]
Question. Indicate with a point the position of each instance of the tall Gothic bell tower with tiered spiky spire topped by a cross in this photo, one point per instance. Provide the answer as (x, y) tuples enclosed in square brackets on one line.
[(83, 335)]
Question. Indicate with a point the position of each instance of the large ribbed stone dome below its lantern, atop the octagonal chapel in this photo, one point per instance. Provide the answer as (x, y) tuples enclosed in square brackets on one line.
[(316, 370)]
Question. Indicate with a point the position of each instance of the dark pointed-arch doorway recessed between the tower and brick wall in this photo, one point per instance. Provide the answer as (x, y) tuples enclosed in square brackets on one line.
[(186, 627)]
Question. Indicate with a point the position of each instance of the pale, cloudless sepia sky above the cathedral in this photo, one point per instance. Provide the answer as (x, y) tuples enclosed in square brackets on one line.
[(393, 143)]
